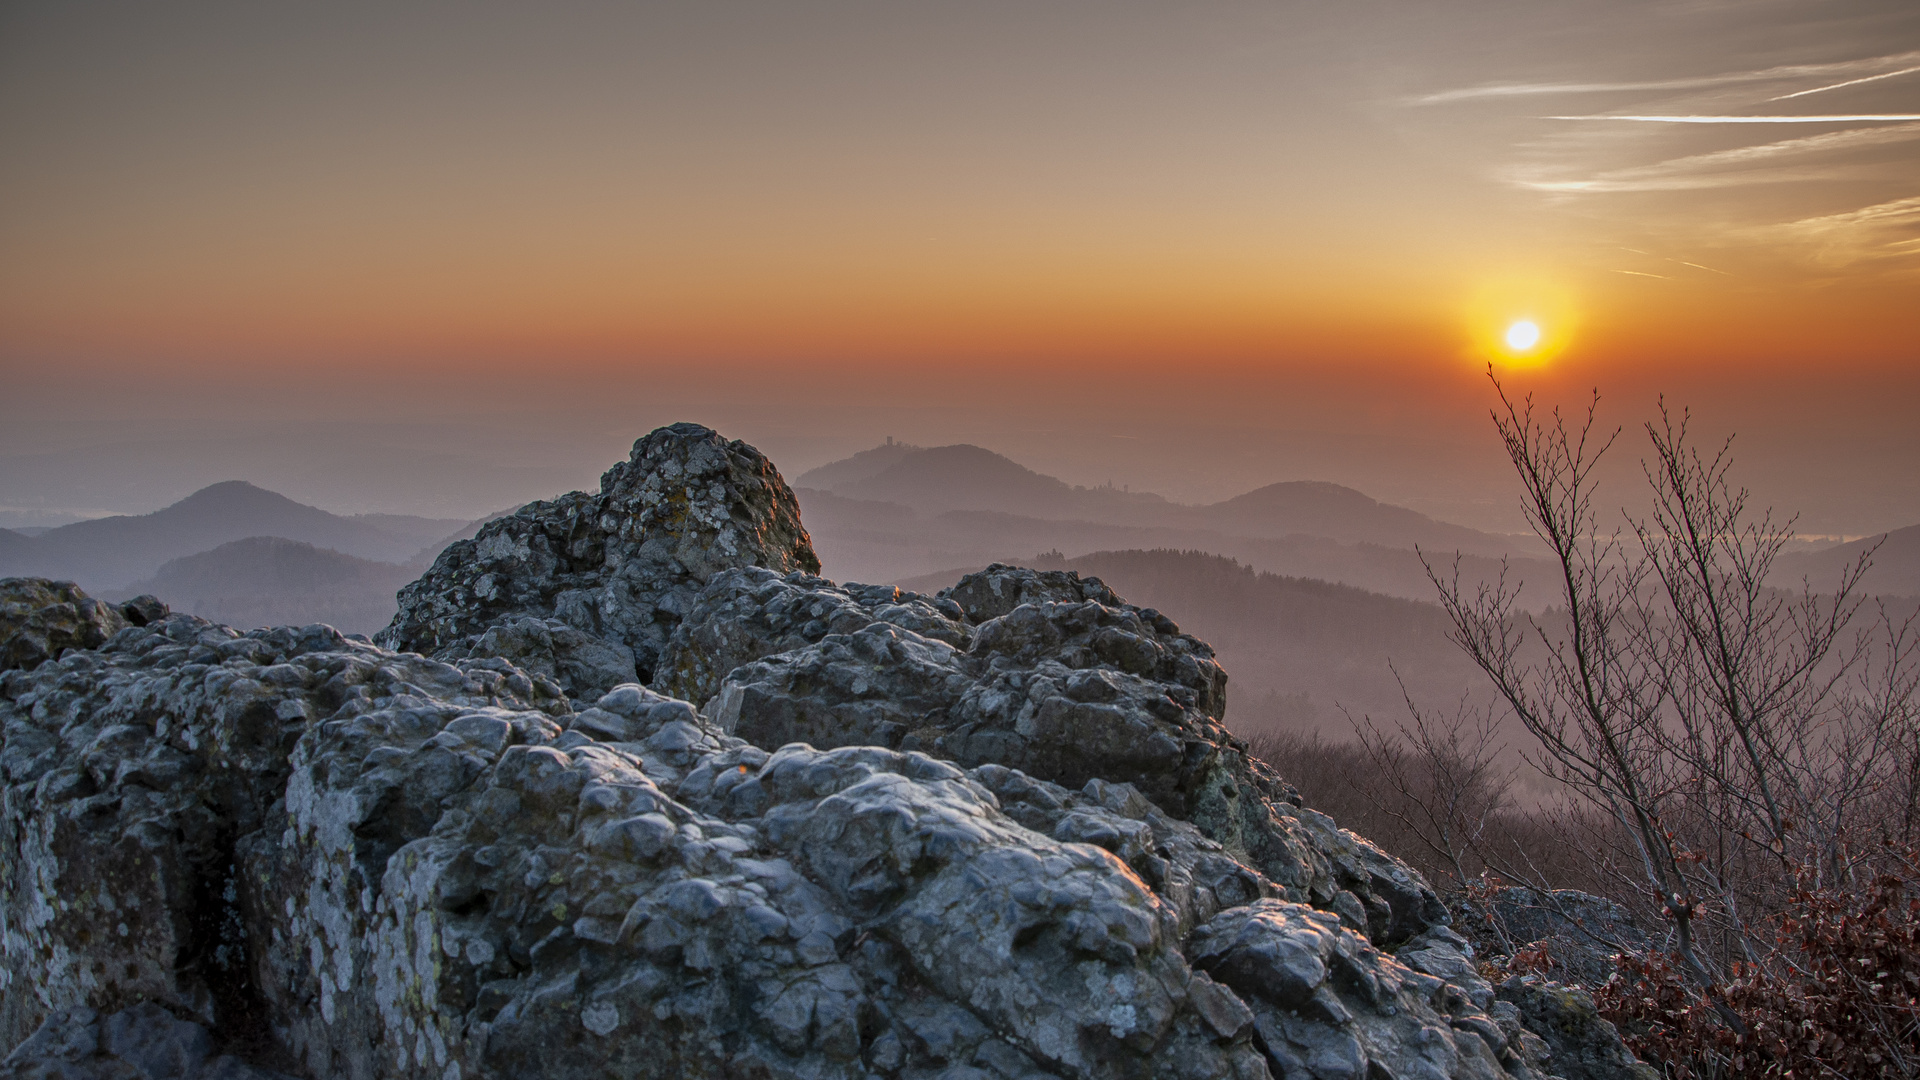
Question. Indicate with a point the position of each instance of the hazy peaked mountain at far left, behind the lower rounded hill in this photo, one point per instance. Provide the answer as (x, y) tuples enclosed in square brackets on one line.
[(112, 552)]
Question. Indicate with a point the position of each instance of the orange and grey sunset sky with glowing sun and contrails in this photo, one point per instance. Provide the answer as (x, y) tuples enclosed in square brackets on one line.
[(1186, 247)]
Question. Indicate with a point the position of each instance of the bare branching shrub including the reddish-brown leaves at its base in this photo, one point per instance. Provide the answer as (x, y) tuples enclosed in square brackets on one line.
[(1748, 756)]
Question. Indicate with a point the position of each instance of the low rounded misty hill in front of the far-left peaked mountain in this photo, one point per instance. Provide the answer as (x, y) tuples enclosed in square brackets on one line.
[(268, 581)]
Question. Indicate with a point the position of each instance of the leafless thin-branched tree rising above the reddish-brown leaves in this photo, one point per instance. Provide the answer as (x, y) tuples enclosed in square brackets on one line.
[(1731, 731)]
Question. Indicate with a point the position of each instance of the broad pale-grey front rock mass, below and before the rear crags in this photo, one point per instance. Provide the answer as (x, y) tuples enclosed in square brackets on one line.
[(412, 870)]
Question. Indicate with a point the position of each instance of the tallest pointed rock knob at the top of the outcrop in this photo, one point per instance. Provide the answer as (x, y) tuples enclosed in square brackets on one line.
[(621, 566)]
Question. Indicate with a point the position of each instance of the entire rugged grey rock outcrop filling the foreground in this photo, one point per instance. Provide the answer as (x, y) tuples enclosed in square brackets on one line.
[(848, 833)]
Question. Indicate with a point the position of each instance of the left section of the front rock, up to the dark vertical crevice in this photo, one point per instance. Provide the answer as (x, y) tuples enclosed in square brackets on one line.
[(132, 777)]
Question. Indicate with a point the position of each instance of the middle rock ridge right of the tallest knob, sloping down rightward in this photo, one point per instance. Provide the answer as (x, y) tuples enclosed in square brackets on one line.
[(1047, 674)]
